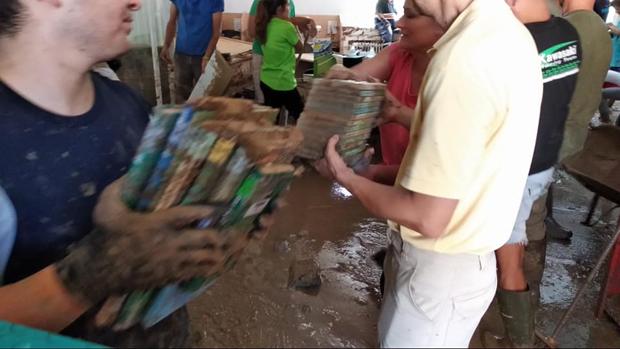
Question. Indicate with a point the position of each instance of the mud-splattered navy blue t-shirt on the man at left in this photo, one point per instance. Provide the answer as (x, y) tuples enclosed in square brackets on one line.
[(54, 167)]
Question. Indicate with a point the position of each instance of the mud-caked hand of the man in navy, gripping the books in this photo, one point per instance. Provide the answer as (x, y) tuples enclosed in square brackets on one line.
[(142, 251)]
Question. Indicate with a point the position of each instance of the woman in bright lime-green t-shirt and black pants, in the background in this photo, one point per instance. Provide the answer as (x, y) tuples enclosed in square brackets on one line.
[(279, 41)]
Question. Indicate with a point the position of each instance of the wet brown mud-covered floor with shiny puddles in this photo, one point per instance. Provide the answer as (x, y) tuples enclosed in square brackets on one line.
[(253, 306)]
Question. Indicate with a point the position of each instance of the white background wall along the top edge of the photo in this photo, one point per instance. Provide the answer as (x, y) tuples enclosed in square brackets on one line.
[(352, 12)]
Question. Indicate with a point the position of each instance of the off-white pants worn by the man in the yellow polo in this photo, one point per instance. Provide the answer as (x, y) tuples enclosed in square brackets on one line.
[(433, 299)]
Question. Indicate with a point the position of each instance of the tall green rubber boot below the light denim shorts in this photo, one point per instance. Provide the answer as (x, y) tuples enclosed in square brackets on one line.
[(517, 313)]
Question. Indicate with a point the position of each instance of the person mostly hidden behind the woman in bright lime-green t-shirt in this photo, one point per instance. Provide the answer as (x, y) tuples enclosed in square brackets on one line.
[(306, 25)]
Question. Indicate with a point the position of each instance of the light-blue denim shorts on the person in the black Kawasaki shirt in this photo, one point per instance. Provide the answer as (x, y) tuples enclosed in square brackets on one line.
[(535, 187)]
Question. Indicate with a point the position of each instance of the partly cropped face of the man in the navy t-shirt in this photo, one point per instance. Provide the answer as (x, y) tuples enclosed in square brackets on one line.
[(98, 28)]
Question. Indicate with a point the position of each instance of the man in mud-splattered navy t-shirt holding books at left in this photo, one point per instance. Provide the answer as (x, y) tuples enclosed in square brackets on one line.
[(66, 134)]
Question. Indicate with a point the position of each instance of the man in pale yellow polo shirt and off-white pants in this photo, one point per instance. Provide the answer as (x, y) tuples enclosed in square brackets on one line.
[(459, 187)]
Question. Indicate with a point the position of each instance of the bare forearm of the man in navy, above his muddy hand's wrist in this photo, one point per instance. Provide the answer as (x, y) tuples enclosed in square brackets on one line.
[(40, 301)]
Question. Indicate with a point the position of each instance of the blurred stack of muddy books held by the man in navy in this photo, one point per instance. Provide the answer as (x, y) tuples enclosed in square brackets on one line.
[(221, 152)]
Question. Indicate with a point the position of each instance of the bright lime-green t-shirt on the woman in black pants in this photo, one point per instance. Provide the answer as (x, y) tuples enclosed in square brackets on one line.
[(278, 69)]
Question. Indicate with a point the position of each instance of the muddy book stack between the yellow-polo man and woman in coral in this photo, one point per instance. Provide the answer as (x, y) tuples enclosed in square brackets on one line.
[(343, 107)]
